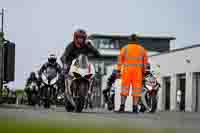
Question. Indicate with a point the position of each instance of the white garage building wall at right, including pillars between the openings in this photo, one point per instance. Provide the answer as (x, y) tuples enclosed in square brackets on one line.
[(175, 63)]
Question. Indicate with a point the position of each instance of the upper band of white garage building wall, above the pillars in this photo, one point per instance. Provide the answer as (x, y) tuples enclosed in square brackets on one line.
[(175, 62)]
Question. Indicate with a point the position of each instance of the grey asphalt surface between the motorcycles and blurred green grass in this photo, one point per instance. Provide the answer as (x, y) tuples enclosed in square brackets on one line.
[(102, 118)]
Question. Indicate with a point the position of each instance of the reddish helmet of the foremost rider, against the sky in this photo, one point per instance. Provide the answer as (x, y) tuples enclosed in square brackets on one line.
[(80, 37)]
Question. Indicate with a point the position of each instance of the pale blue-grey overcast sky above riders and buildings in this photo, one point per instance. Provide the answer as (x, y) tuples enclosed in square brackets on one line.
[(40, 26)]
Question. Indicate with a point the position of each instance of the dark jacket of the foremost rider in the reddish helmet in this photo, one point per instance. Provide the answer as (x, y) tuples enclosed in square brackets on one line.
[(71, 52)]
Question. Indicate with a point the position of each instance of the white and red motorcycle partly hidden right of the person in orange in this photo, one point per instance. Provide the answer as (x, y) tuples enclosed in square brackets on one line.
[(149, 97)]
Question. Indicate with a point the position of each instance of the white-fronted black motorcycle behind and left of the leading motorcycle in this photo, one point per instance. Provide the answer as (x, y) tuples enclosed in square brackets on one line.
[(48, 88)]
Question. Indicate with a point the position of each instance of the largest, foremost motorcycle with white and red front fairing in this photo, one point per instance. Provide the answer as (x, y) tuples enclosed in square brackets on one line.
[(79, 84)]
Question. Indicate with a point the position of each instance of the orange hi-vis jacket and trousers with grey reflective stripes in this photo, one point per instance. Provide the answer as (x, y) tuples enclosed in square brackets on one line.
[(132, 62)]
